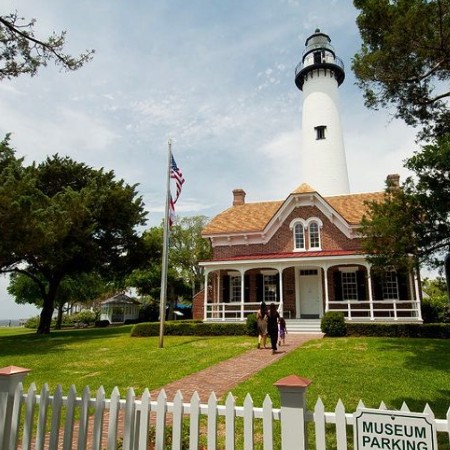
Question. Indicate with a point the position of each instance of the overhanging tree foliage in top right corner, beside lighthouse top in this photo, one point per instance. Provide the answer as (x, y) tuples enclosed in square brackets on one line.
[(404, 60)]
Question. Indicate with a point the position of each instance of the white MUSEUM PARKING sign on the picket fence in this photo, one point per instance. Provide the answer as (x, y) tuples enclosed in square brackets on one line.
[(393, 430)]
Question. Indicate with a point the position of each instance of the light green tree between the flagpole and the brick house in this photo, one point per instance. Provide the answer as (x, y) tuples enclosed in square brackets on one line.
[(188, 248)]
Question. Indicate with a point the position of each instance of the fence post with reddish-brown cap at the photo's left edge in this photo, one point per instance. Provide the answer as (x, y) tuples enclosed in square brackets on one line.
[(10, 377)]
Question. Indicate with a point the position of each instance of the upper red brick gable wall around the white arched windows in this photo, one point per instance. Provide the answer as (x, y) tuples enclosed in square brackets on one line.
[(282, 241)]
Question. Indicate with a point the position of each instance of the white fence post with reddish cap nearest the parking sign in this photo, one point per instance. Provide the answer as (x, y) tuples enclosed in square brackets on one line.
[(293, 410)]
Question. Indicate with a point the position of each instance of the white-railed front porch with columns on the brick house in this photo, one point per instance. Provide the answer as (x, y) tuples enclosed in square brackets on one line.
[(305, 289)]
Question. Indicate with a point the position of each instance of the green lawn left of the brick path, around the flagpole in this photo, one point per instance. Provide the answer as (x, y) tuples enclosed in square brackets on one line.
[(109, 357)]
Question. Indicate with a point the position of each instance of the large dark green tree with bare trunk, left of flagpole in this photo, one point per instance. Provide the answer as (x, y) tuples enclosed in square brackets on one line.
[(62, 218)]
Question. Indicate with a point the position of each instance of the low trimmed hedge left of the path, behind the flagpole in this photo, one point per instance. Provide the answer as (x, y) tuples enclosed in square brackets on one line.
[(189, 328)]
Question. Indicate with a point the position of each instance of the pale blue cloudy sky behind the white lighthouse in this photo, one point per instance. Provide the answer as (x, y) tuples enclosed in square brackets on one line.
[(215, 76)]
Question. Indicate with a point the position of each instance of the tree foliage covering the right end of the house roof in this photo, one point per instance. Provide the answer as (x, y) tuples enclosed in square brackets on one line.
[(413, 220)]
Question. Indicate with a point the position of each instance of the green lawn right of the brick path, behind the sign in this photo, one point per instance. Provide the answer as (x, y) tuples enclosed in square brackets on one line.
[(415, 371)]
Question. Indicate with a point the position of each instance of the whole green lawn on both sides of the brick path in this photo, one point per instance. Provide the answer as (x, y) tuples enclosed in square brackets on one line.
[(416, 371)]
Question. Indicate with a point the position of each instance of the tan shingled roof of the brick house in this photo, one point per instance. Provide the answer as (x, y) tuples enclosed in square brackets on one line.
[(254, 217)]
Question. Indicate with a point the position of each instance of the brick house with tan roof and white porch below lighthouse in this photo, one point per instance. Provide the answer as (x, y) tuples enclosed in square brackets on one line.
[(304, 254)]
